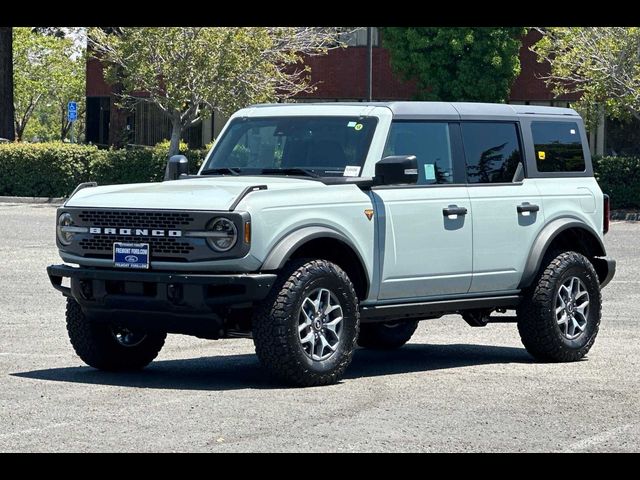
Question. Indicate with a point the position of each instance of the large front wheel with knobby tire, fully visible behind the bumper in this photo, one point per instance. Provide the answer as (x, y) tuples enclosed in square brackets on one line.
[(305, 331)]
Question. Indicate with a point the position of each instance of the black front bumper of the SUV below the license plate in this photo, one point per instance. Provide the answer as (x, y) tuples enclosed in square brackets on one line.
[(158, 296)]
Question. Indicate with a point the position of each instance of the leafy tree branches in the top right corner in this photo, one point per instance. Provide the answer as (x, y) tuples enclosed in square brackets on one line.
[(601, 63)]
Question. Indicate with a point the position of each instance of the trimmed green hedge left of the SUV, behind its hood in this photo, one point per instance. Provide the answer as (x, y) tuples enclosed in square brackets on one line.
[(55, 169)]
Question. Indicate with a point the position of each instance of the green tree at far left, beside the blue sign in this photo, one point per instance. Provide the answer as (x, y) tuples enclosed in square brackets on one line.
[(48, 69)]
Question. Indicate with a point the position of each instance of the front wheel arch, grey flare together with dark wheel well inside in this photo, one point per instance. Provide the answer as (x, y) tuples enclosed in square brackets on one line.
[(325, 243)]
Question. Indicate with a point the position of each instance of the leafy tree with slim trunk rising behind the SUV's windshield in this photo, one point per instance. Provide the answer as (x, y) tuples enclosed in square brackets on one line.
[(187, 72)]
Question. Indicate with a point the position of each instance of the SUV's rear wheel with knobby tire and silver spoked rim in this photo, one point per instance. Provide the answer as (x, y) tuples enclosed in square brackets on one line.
[(559, 317)]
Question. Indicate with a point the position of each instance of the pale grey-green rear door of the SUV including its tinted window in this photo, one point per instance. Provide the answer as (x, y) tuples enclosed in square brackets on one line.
[(507, 215)]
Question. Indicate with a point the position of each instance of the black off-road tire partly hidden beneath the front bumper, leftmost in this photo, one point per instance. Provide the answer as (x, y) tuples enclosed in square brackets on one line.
[(97, 346)]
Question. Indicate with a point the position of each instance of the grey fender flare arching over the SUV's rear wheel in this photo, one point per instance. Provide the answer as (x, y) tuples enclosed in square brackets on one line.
[(544, 239)]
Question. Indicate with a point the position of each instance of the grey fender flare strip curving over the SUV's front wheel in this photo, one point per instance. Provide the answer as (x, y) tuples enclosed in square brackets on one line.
[(280, 254)]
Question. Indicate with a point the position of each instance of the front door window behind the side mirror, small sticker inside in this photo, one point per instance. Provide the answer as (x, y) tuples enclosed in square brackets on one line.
[(429, 142)]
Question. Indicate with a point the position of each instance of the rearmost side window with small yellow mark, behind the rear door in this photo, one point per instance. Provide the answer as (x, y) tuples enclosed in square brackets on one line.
[(558, 147)]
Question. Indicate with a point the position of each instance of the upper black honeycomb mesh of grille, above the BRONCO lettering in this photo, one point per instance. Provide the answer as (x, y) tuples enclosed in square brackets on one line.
[(136, 219)]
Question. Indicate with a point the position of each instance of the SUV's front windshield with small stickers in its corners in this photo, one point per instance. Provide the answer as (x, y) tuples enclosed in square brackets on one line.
[(315, 146)]
